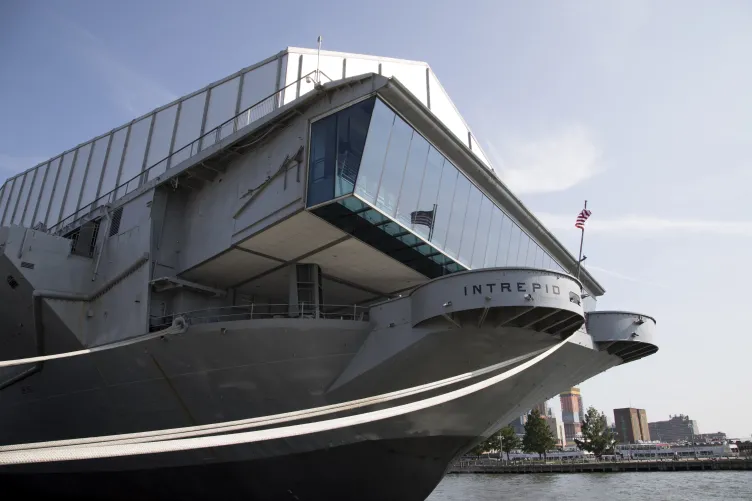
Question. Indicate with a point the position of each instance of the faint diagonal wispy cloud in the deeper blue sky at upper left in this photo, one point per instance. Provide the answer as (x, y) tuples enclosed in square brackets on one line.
[(130, 90)]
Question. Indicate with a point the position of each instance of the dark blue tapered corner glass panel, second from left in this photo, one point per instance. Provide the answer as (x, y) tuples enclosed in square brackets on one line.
[(352, 129)]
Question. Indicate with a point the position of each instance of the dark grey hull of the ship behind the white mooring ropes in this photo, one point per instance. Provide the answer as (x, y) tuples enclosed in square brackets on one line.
[(205, 377)]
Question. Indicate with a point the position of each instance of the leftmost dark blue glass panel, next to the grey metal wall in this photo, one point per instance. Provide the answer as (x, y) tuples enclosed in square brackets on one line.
[(322, 160)]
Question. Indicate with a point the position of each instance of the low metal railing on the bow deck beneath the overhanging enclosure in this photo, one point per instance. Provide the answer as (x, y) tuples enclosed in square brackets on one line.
[(263, 311)]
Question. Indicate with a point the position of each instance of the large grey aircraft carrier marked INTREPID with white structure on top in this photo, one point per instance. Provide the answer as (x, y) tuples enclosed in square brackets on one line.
[(304, 281)]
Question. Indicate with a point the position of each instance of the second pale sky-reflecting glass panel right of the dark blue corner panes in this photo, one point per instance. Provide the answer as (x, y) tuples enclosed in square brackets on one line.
[(394, 166)]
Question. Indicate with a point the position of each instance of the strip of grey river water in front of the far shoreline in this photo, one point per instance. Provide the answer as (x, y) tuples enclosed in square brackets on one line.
[(665, 486)]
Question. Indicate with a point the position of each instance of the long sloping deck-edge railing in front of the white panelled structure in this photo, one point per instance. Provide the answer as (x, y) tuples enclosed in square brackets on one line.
[(243, 119)]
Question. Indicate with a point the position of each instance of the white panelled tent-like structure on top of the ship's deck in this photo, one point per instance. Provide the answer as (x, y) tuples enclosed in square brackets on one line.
[(110, 166)]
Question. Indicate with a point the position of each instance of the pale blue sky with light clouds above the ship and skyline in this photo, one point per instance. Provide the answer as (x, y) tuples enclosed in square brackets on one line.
[(643, 109)]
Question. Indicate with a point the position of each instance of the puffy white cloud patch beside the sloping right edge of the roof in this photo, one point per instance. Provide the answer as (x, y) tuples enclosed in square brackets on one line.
[(552, 163)]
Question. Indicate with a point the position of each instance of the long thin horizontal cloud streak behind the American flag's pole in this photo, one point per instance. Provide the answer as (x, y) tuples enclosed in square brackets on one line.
[(631, 225)]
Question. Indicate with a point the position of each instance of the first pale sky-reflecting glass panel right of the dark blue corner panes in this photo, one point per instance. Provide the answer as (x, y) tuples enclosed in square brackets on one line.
[(377, 141)]
